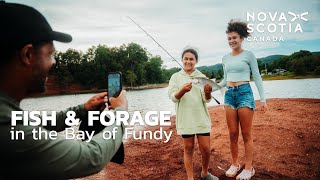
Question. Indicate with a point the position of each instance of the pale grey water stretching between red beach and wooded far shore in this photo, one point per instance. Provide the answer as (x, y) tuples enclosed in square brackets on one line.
[(158, 100)]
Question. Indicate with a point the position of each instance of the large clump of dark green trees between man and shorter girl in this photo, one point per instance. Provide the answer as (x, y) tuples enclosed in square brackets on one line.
[(90, 69)]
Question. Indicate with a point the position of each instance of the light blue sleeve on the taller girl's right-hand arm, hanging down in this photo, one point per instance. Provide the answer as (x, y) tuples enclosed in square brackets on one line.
[(256, 76)]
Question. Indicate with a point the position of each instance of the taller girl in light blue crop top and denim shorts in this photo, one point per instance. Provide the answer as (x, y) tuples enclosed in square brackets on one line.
[(238, 99)]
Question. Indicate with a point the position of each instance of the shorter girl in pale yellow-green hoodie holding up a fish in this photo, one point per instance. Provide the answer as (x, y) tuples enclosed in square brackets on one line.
[(192, 116)]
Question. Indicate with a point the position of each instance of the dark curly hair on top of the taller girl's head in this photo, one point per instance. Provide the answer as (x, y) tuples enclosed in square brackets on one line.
[(238, 27)]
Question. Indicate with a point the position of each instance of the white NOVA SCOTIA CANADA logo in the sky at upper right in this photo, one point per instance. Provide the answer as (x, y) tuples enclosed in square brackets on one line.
[(274, 23)]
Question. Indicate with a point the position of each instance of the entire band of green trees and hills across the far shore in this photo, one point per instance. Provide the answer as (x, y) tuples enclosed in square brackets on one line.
[(139, 67)]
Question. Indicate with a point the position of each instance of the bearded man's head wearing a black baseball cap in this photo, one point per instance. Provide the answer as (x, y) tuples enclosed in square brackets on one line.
[(26, 45)]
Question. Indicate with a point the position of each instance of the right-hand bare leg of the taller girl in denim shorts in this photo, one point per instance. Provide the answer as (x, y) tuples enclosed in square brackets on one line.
[(245, 115)]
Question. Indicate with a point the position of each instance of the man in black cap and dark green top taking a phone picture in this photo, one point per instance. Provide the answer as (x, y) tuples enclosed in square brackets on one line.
[(26, 56)]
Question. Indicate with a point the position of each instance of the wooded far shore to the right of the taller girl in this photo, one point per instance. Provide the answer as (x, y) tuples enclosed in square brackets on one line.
[(300, 63)]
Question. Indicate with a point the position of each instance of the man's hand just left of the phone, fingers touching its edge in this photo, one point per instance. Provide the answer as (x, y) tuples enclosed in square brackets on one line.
[(97, 101)]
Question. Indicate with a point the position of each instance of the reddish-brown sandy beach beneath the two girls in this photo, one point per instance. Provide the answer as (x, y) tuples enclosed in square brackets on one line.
[(286, 146)]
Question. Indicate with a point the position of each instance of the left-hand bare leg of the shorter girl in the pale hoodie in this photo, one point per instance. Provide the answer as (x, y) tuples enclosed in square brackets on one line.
[(188, 144)]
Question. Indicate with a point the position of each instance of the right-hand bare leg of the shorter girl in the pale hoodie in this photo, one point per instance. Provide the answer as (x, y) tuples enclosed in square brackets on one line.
[(204, 146)]
